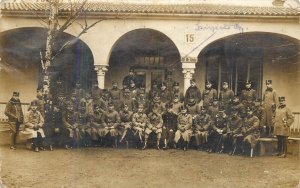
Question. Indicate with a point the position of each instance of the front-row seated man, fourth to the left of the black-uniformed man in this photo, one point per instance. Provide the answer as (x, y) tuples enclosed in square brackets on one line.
[(111, 121)]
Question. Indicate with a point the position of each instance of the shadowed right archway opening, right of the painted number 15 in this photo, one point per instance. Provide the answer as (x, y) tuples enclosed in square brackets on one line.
[(256, 56)]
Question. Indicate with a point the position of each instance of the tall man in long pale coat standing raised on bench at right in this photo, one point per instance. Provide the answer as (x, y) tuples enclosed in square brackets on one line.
[(269, 105)]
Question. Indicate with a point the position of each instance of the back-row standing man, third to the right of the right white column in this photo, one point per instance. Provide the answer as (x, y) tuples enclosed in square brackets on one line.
[(225, 97)]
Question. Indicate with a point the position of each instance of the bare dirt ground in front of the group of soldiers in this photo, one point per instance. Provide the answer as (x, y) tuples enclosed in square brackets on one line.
[(107, 167)]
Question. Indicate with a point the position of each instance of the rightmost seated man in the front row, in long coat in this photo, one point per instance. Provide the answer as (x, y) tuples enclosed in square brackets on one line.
[(250, 131)]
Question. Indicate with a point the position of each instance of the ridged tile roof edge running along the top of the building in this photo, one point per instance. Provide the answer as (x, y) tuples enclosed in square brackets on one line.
[(197, 9)]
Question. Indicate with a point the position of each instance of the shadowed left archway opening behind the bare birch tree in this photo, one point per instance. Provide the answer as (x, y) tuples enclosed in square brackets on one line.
[(20, 52)]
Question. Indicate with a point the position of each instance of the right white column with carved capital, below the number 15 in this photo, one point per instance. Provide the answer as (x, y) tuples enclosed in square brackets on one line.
[(188, 66)]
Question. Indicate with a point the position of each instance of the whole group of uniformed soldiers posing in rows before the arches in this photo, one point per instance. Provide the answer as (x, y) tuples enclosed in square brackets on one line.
[(164, 117)]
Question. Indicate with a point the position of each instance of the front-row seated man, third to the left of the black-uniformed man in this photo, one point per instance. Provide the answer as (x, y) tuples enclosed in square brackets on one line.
[(125, 129)]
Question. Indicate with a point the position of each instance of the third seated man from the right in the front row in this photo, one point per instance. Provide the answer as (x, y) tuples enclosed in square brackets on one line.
[(219, 131)]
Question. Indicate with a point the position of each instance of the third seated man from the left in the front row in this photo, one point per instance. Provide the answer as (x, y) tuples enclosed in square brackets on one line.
[(69, 121)]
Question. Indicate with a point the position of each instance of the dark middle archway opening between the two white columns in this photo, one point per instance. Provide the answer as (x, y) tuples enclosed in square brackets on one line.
[(143, 42)]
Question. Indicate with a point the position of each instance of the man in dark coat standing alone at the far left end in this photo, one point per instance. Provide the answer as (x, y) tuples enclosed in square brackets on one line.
[(13, 111)]
